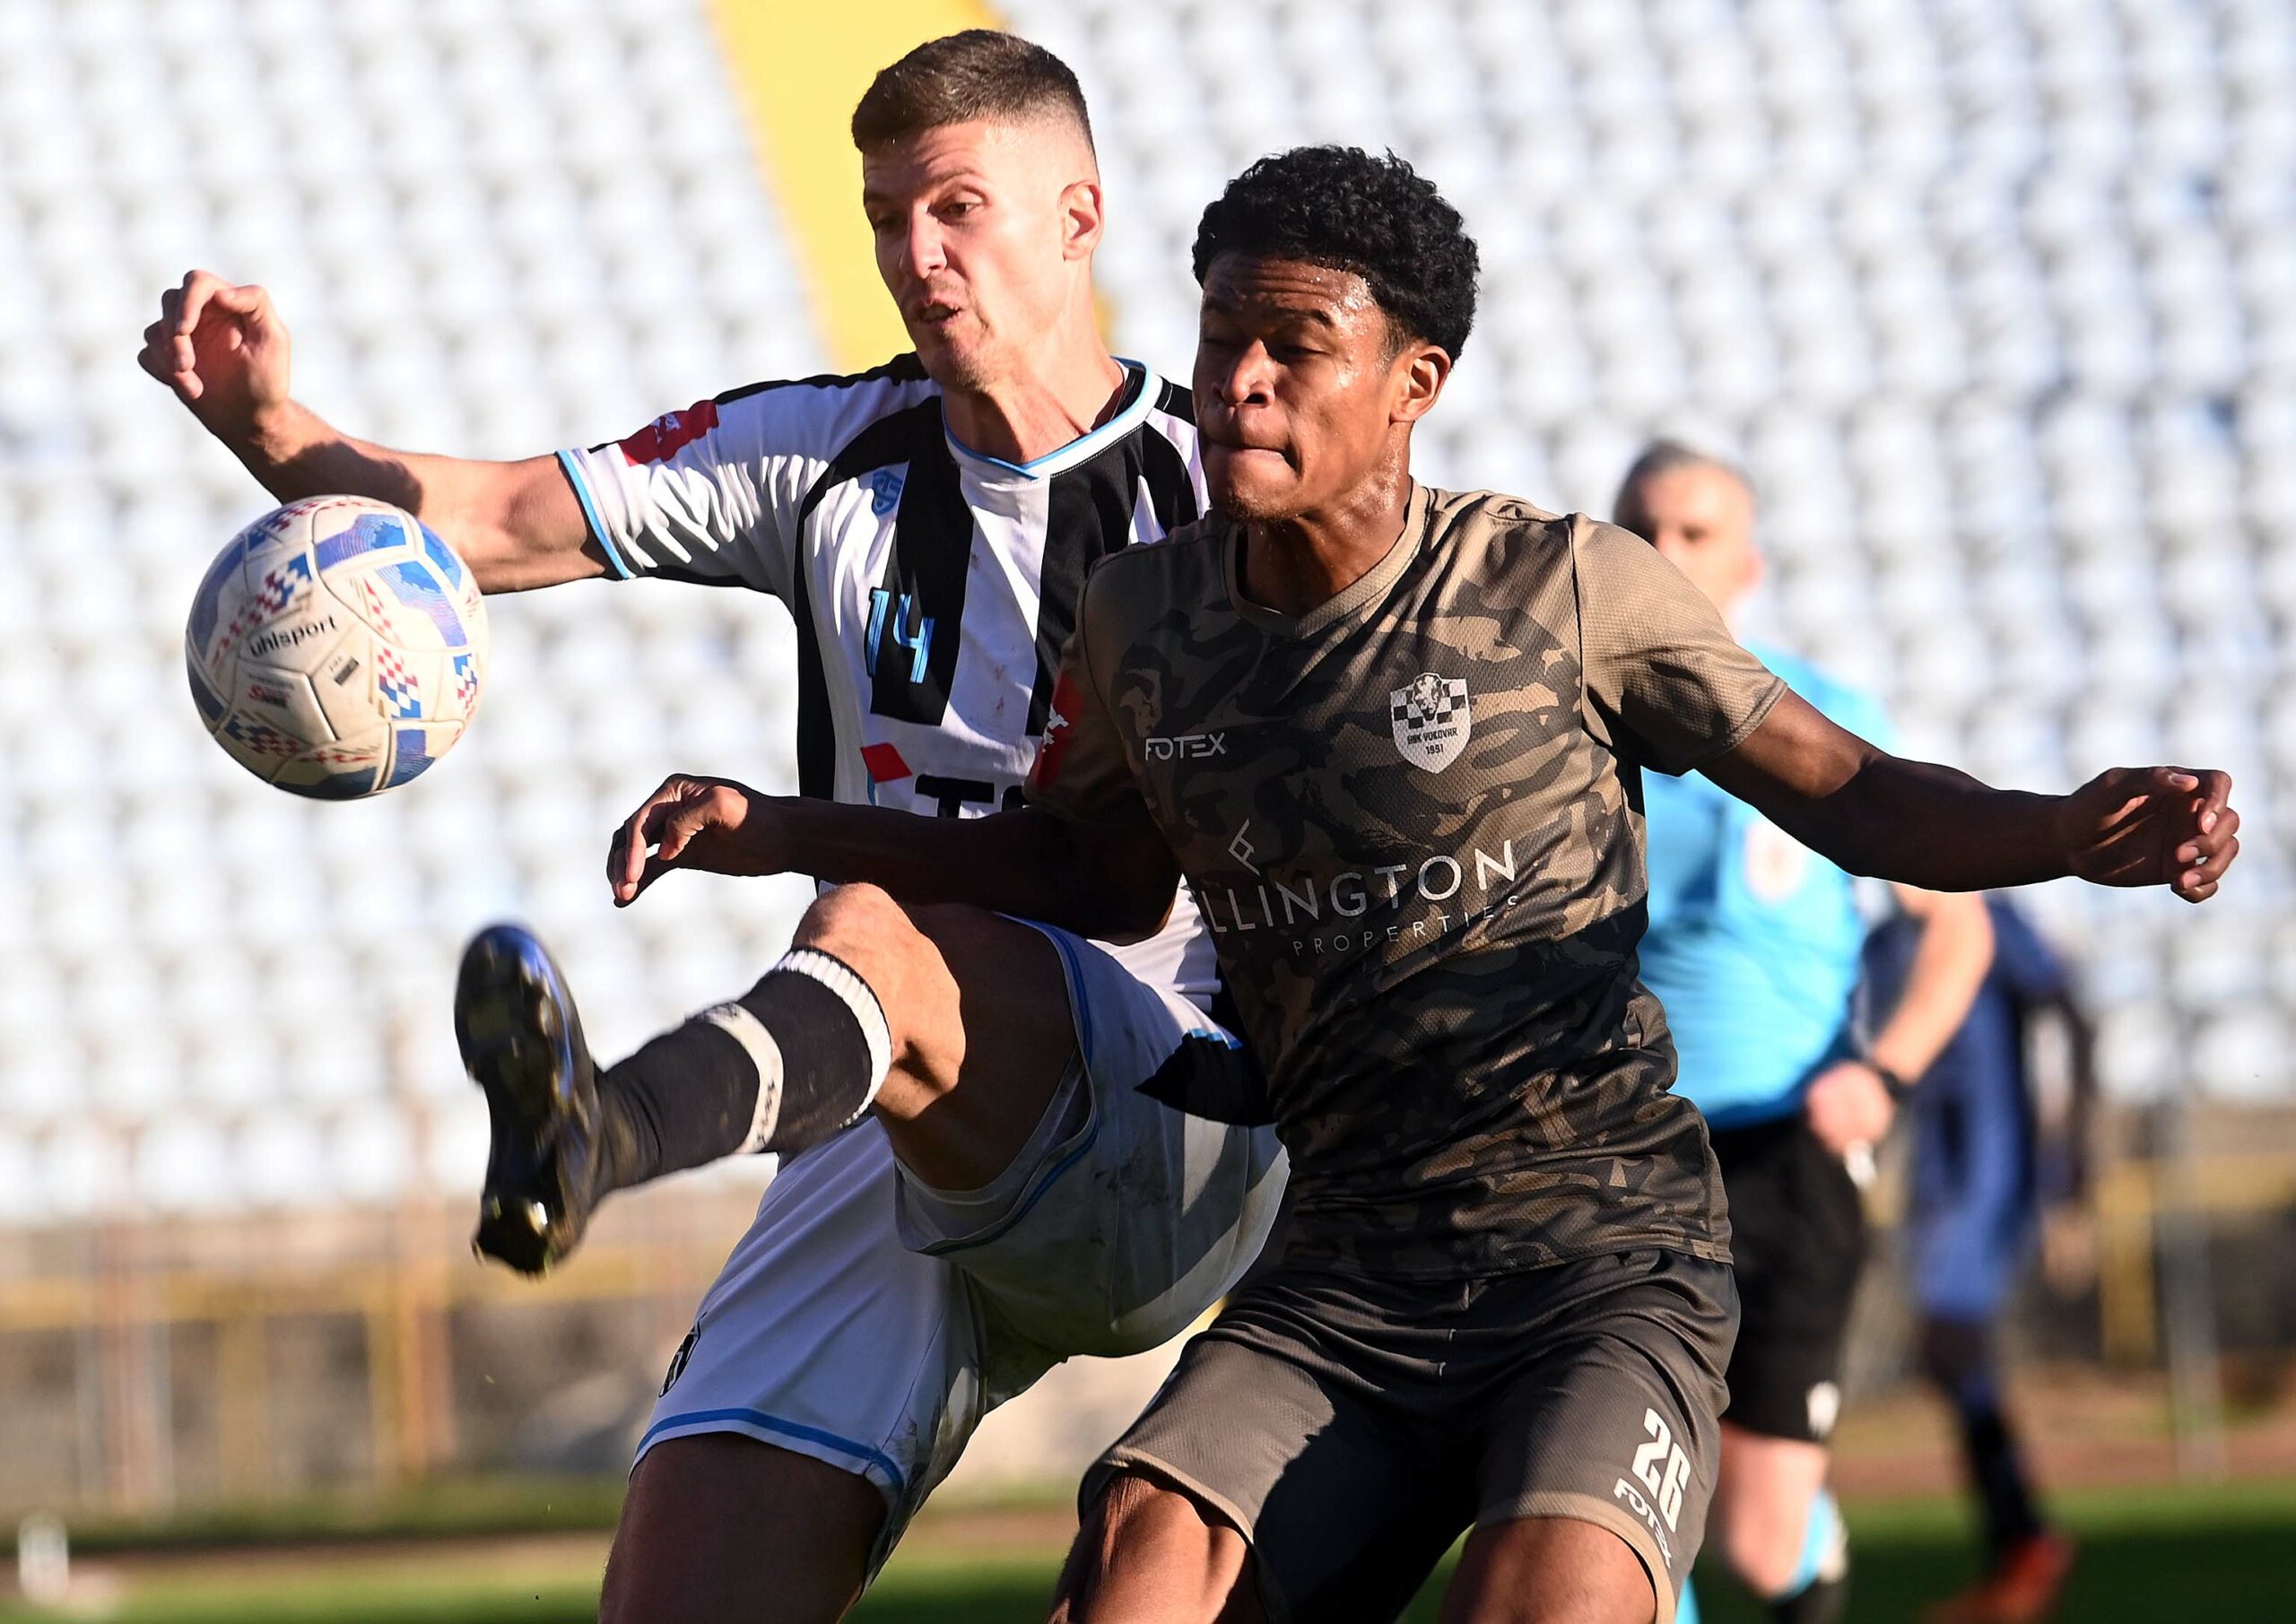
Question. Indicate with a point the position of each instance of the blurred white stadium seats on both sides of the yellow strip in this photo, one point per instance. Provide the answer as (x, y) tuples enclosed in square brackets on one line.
[(1996, 302)]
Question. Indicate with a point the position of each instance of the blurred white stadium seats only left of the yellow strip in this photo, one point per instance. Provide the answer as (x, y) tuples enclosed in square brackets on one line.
[(492, 229)]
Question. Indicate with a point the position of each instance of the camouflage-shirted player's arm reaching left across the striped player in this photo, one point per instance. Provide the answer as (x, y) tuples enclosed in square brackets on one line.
[(1094, 881)]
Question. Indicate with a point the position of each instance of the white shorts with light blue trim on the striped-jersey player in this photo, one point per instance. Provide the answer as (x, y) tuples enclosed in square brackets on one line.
[(871, 1322)]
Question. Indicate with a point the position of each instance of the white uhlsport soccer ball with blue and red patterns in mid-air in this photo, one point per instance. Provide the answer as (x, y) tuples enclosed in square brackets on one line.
[(336, 649)]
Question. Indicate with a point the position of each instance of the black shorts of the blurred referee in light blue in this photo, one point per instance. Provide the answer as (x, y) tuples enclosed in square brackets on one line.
[(1799, 1239)]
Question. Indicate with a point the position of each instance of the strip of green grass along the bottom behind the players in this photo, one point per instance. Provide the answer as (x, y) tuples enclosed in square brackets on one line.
[(2150, 1556)]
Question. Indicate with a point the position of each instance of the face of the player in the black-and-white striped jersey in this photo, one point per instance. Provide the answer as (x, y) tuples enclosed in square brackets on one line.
[(982, 231)]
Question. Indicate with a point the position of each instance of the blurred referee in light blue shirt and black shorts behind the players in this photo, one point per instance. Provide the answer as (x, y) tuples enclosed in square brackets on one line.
[(1755, 952)]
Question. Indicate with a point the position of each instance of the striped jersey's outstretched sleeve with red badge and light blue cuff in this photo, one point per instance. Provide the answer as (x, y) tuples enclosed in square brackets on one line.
[(717, 493)]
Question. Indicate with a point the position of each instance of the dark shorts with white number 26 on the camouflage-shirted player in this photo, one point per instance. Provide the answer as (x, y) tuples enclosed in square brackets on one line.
[(1351, 1428)]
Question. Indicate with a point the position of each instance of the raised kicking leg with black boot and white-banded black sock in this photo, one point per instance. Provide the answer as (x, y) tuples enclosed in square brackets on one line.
[(949, 1023)]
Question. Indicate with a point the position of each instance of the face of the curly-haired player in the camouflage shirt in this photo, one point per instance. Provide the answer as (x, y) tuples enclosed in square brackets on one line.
[(1301, 387)]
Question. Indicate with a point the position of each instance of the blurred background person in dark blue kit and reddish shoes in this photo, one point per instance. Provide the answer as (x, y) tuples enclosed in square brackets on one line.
[(1987, 1161)]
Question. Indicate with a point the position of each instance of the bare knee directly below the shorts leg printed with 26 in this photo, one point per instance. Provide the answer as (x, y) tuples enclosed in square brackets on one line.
[(1549, 1570)]
